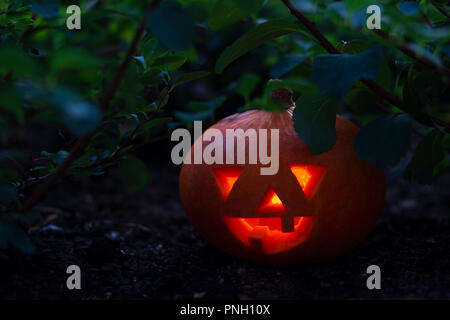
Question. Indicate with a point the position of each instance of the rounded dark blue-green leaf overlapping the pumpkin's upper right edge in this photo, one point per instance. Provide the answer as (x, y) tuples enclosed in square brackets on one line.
[(385, 140)]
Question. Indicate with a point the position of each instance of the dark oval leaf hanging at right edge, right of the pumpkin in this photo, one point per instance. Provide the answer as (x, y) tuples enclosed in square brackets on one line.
[(429, 153)]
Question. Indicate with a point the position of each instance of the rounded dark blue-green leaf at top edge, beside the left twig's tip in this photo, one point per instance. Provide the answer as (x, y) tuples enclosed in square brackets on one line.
[(172, 26)]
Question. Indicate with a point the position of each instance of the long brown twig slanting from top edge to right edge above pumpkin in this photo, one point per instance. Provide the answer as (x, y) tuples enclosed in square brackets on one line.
[(380, 91)]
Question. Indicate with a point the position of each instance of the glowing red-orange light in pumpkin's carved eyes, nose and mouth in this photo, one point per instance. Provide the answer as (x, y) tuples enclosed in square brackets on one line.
[(266, 231)]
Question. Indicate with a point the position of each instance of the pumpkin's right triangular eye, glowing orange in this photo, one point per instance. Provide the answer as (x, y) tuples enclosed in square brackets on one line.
[(308, 177)]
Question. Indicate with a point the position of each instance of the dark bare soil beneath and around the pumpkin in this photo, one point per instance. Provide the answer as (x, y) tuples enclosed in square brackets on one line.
[(139, 245)]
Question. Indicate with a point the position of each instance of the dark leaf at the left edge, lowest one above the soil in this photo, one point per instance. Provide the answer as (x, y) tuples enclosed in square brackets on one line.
[(12, 234)]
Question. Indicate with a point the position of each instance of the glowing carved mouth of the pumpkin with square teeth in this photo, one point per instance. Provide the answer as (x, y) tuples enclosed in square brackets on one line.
[(266, 235)]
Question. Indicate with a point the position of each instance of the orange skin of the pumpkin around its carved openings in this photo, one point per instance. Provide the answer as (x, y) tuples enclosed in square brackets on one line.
[(342, 208)]
